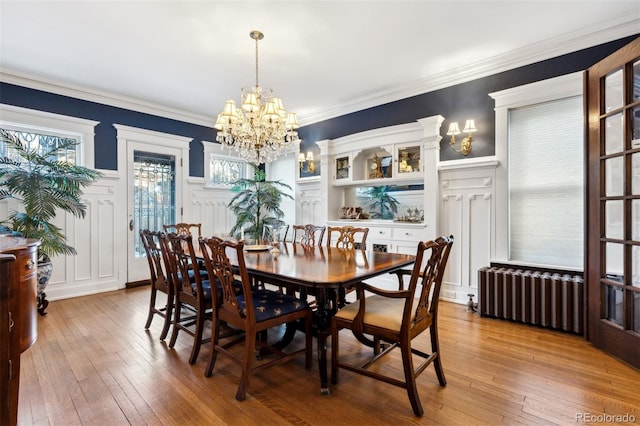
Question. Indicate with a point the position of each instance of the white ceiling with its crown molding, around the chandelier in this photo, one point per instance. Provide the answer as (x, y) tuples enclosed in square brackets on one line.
[(323, 58)]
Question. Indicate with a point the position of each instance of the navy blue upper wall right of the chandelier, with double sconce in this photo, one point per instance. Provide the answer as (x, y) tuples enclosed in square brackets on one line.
[(457, 103)]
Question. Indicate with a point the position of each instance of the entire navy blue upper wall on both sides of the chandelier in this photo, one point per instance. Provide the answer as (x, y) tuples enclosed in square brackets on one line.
[(455, 103)]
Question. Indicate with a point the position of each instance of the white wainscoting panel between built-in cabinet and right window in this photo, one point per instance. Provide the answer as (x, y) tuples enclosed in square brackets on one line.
[(467, 211)]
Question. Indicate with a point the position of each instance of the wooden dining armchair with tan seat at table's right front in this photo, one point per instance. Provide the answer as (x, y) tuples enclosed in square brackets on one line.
[(397, 317)]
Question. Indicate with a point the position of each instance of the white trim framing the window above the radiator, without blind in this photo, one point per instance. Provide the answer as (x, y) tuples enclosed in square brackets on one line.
[(542, 91)]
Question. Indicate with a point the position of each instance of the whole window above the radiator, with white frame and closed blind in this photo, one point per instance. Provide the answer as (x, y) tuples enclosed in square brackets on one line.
[(540, 179)]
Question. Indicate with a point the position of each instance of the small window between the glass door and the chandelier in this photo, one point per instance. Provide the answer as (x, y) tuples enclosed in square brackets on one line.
[(221, 170)]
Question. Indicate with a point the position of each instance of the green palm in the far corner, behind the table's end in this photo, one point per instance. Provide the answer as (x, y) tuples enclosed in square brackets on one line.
[(256, 202)]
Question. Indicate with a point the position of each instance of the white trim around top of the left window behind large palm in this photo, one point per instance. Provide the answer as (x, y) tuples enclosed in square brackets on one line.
[(24, 119)]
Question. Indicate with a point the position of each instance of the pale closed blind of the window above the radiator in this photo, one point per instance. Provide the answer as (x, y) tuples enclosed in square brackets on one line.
[(546, 181)]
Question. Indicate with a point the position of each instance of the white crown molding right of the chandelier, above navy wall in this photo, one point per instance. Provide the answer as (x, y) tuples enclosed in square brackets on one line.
[(557, 46)]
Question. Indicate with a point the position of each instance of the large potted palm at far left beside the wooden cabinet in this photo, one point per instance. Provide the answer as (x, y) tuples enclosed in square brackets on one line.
[(45, 185)]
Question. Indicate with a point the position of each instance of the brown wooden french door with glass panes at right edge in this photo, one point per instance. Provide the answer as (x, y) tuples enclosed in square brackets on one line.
[(612, 244)]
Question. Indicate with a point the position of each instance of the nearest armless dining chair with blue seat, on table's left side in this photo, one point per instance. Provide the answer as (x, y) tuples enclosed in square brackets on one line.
[(254, 311)]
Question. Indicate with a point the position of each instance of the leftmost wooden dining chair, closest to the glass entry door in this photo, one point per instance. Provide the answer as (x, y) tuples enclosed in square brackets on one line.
[(158, 279)]
